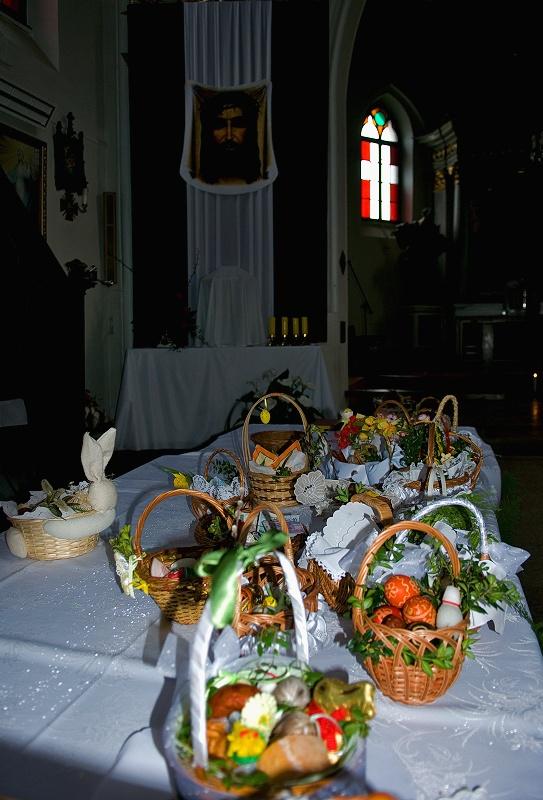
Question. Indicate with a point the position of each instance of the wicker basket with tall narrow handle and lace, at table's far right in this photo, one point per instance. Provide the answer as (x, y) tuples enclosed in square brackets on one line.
[(448, 458)]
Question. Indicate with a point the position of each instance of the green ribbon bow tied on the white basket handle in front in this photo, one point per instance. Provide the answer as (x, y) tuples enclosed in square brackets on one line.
[(225, 567)]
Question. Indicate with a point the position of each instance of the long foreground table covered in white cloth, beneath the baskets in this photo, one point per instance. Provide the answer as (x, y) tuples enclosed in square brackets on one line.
[(88, 676)]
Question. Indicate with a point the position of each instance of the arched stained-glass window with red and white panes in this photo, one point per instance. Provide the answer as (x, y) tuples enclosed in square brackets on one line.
[(379, 168)]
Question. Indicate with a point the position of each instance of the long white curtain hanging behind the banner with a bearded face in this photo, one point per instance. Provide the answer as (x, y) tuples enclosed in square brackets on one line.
[(228, 44)]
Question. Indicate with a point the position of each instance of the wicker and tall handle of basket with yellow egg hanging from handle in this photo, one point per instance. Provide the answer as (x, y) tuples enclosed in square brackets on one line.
[(273, 488)]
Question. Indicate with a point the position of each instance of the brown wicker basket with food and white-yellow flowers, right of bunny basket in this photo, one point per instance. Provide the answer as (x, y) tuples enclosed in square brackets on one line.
[(166, 575)]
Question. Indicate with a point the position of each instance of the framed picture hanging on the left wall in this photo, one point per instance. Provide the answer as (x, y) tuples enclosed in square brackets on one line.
[(24, 160)]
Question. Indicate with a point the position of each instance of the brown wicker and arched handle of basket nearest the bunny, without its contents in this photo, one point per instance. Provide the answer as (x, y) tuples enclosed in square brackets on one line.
[(180, 601)]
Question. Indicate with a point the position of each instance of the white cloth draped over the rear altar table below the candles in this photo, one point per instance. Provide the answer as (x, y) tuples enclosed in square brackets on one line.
[(178, 399)]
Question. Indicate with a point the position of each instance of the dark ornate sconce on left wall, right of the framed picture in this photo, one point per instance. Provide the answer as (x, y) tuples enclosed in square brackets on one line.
[(70, 169)]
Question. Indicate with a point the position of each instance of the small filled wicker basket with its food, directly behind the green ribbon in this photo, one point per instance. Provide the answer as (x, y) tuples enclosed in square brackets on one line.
[(264, 600)]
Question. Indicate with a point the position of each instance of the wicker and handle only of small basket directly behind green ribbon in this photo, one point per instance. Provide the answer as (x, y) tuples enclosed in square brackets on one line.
[(269, 571)]
